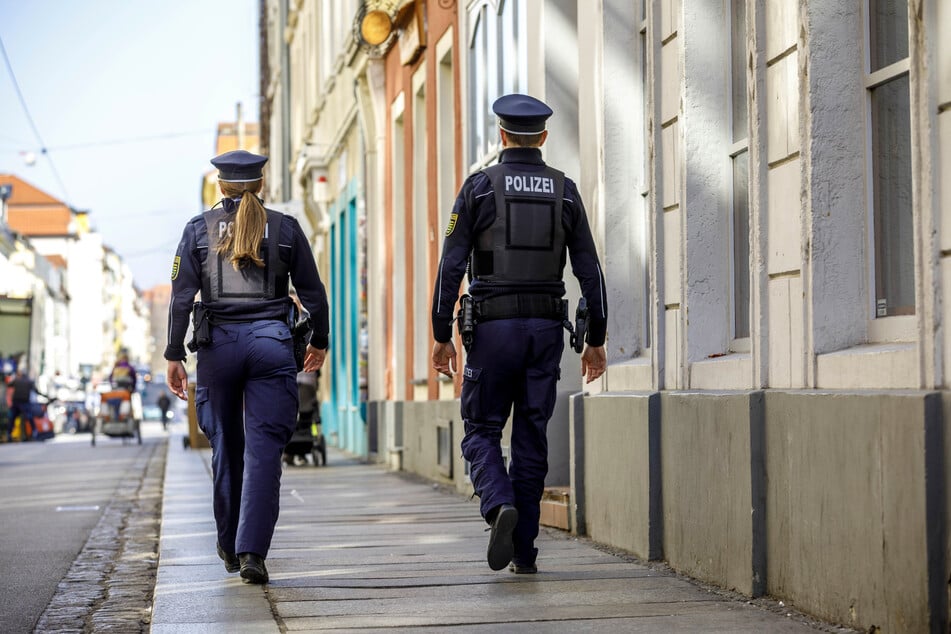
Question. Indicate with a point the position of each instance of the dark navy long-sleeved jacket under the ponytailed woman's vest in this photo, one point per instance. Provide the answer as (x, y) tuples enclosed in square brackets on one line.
[(294, 252)]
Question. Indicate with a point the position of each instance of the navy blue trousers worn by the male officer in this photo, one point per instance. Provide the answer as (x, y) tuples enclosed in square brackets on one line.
[(512, 367)]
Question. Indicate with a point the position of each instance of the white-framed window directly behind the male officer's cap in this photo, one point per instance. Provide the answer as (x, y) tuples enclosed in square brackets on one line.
[(496, 67)]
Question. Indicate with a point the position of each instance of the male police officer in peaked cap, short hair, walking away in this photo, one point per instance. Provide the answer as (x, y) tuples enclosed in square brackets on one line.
[(512, 224)]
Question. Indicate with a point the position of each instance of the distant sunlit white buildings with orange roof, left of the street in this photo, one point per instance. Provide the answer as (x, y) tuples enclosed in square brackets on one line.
[(96, 309)]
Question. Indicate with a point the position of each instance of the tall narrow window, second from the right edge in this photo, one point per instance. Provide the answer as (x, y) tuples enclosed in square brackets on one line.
[(739, 157)]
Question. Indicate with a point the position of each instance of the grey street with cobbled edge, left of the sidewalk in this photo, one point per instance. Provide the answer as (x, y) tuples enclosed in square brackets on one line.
[(64, 505)]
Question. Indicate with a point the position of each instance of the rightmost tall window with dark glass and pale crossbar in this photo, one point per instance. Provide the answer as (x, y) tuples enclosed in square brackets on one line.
[(889, 110)]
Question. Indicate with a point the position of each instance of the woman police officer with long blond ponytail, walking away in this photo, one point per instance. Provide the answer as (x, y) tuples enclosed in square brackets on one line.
[(240, 256)]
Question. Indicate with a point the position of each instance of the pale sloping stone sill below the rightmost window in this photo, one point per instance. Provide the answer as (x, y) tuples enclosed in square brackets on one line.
[(873, 366)]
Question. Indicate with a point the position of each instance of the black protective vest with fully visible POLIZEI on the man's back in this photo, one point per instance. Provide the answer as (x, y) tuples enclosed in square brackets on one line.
[(526, 242)]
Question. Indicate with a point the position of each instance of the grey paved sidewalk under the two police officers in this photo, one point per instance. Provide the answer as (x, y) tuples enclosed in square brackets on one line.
[(359, 548)]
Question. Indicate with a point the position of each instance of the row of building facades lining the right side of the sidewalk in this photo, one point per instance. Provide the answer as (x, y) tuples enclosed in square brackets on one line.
[(766, 183)]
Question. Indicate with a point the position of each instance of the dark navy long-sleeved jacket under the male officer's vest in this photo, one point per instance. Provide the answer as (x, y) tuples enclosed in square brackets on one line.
[(474, 212)]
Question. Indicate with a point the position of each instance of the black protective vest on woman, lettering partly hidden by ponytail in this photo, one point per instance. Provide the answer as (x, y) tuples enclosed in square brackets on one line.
[(221, 283)]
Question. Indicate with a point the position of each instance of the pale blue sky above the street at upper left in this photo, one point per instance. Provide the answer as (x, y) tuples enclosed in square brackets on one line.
[(126, 96)]
